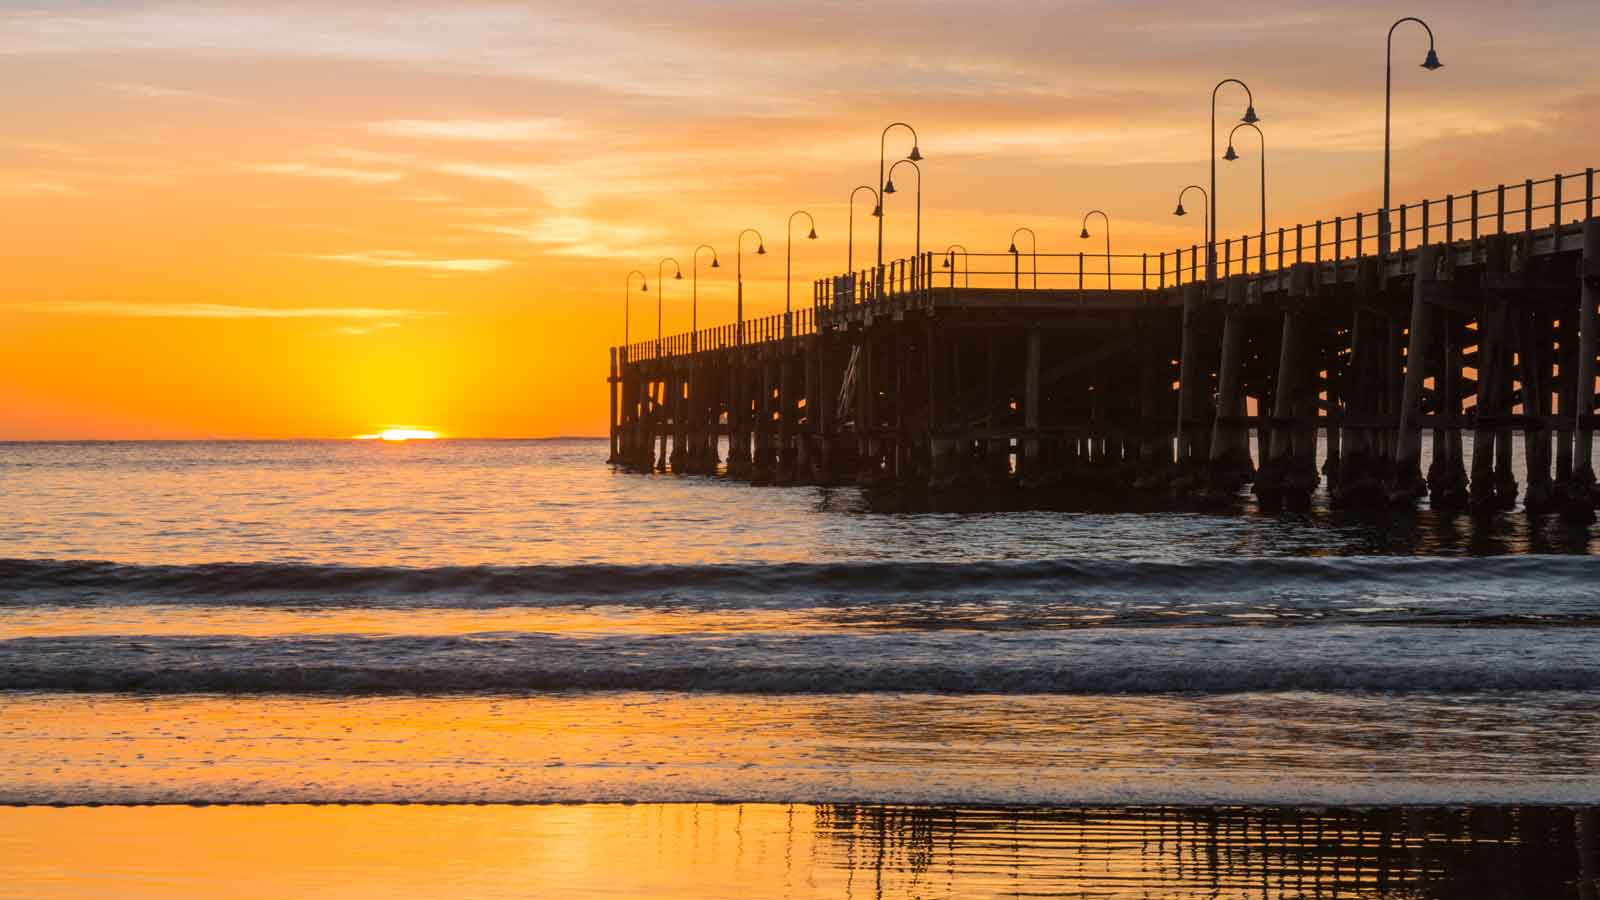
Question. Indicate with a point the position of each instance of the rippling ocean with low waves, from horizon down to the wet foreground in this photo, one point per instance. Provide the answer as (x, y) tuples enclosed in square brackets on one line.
[(212, 627)]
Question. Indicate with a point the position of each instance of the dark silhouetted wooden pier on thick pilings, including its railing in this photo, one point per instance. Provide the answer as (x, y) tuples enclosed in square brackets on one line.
[(1094, 372)]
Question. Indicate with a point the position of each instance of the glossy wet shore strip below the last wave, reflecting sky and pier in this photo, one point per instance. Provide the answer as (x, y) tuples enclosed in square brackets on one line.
[(700, 851)]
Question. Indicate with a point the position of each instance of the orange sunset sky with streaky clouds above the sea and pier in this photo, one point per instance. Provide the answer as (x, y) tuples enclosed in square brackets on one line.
[(233, 220)]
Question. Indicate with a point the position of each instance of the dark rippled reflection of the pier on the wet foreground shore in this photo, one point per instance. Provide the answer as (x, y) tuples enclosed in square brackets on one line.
[(1478, 853)]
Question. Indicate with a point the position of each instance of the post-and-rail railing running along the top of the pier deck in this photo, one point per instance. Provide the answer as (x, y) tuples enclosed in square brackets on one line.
[(1330, 244)]
